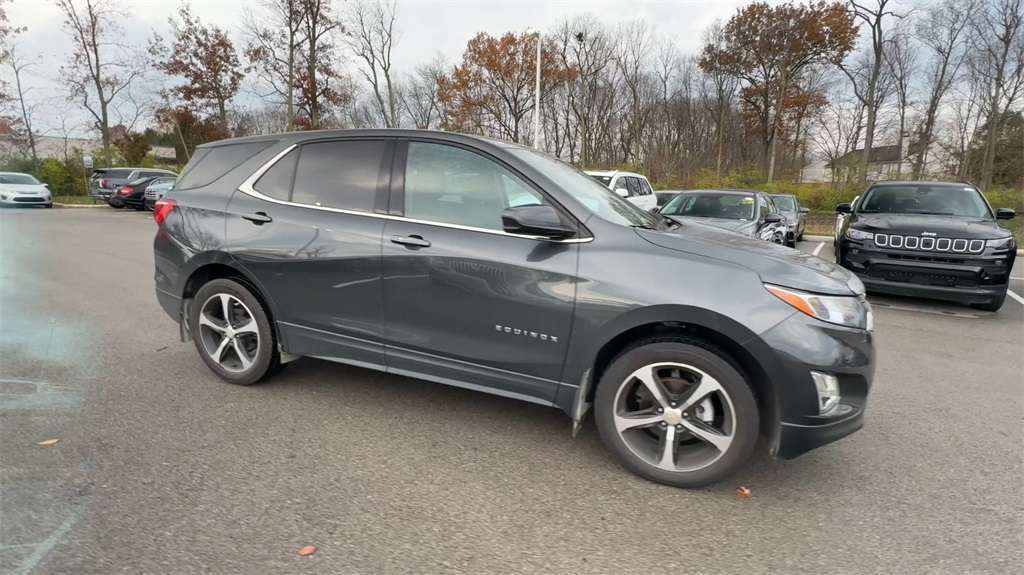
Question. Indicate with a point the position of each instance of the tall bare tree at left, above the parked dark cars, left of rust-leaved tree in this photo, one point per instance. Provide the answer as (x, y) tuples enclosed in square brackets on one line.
[(101, 68)]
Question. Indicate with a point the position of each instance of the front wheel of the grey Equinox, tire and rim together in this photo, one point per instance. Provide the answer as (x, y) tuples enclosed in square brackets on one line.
[(677, 412)]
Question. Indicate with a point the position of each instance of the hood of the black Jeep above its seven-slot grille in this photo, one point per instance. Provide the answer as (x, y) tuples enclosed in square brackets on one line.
[(918, 225)]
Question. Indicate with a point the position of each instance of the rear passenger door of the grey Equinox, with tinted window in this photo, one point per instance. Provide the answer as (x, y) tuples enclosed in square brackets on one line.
[(309, 230)]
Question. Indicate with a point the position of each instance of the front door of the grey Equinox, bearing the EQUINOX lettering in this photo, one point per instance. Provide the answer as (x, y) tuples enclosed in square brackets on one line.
[(466, 303)]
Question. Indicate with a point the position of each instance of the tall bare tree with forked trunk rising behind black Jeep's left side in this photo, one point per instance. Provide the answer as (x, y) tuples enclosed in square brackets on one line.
[(867, 73)]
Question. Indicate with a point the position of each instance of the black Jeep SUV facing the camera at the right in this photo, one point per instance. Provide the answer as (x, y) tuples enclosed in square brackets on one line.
[(934, 240)]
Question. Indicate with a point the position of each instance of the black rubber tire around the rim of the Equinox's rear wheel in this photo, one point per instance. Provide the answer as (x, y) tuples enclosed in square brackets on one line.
[(268, 360)]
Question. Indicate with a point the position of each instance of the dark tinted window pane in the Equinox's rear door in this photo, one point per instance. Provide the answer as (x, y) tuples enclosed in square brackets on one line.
[(345, 175)]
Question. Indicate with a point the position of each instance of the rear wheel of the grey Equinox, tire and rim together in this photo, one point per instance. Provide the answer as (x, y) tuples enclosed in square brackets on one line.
[(233, 333)]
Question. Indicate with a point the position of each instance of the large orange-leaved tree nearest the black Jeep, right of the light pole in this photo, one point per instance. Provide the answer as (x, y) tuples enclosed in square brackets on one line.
[(770, 48)]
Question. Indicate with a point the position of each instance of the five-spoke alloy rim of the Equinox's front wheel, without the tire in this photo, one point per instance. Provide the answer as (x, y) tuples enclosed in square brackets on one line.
[(675, 417)]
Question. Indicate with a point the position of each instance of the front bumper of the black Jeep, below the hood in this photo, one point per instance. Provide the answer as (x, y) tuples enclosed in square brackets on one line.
[(968, 279)]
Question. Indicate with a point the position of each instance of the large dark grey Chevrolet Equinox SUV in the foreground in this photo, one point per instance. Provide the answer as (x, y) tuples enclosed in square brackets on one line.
[(491, 267)]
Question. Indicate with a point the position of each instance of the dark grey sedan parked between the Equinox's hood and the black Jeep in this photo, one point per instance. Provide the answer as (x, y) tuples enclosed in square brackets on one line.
[(749, 213)]
